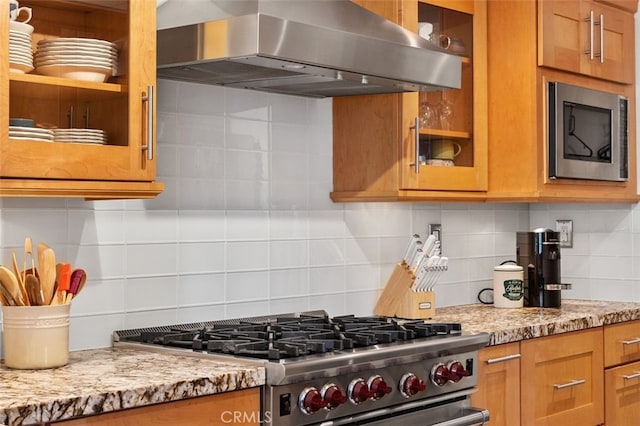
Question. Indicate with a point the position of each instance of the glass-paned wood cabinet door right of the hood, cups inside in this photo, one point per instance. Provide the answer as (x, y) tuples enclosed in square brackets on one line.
[(446, 149)]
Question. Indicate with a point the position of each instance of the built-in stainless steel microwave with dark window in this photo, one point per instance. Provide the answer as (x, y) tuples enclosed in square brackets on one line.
[(588, 133)]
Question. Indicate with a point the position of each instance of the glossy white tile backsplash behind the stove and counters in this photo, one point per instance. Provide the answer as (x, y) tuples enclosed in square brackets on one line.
[(246, 226)]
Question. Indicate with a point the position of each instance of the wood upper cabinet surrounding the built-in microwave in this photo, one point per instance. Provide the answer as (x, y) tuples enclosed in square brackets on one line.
[(518, 153)]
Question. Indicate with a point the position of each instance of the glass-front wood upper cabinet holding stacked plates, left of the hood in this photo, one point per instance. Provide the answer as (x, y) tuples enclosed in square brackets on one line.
[(125, 167)]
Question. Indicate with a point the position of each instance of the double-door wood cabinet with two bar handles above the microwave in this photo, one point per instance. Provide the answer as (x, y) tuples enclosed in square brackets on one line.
[(587, 37)]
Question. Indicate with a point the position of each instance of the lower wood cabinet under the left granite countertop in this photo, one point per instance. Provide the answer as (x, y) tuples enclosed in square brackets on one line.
[(237, 408)]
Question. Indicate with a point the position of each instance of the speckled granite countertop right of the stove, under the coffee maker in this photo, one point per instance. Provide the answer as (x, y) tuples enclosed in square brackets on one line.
[(513, 325)]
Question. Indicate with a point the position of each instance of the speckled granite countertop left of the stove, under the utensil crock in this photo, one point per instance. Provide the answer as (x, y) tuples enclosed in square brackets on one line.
[(110, 379)]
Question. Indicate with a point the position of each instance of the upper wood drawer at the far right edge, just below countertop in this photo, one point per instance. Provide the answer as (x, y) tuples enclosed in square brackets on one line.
[(621, 343)]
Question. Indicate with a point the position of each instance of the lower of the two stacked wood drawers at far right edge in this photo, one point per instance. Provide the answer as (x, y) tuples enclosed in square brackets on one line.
[(622, 395)]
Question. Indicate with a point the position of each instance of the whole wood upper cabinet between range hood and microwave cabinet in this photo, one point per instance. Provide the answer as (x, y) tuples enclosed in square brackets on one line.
[(377, 139)]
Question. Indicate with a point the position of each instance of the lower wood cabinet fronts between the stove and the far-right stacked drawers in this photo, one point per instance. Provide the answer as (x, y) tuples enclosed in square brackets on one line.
[(551, 381)]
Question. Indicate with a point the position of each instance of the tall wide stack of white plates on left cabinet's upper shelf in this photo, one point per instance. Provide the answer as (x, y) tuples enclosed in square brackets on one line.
[(78, 58)]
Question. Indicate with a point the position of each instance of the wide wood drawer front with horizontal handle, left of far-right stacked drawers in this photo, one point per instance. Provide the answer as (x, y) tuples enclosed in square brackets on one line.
[(562, 380)]
